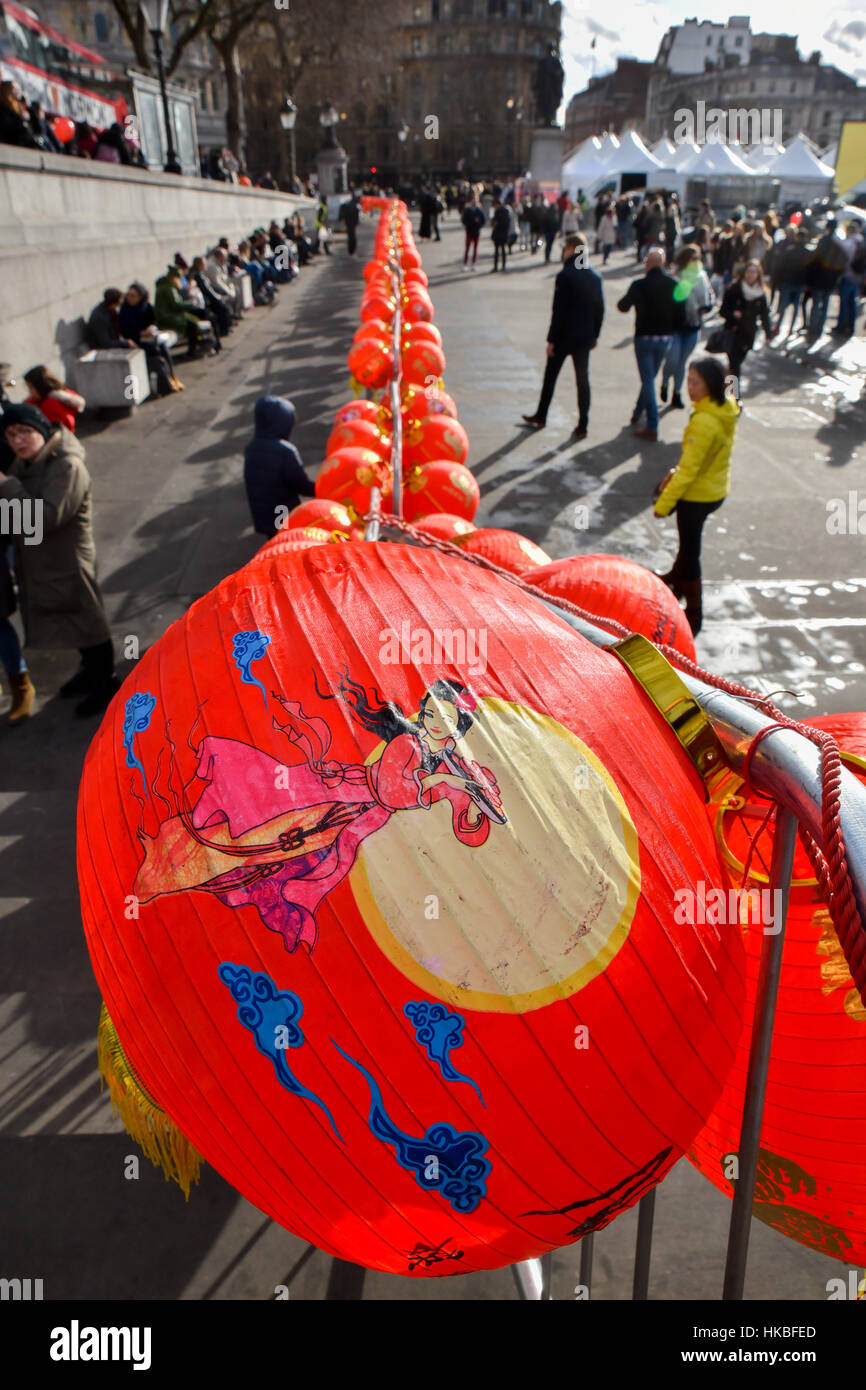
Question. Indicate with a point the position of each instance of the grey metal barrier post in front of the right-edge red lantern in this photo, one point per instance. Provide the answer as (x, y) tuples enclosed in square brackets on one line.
[(760, 1060)]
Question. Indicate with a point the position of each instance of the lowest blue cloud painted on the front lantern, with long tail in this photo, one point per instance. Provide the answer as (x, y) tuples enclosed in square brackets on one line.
[(461, 1168)]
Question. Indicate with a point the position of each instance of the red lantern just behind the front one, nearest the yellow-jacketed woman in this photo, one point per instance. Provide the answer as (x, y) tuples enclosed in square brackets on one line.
[(618, 589)]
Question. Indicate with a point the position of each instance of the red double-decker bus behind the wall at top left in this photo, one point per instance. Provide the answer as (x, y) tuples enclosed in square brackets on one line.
[(52, 70)]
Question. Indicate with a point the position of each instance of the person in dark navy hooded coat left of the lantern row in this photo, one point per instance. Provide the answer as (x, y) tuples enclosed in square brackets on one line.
[(273, 472)]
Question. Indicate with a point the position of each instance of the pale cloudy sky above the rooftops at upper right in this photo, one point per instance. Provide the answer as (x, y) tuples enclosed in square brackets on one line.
[(635, 28)]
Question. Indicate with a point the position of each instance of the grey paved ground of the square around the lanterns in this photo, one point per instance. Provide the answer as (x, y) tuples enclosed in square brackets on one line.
[(785, 607)]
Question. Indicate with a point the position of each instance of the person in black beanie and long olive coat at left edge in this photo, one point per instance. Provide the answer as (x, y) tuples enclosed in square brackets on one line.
[(55, 553)]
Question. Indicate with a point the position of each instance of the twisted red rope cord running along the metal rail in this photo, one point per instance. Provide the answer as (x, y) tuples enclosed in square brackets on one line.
[(829, 860)]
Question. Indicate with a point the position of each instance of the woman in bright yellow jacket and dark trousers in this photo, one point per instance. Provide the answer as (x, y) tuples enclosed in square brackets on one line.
[(703, 479)]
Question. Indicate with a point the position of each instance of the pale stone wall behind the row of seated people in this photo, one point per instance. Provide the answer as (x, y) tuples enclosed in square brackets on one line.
[(72, 227)]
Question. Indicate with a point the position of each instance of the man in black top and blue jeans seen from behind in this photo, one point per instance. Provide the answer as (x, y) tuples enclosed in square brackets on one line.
[(660, 315)]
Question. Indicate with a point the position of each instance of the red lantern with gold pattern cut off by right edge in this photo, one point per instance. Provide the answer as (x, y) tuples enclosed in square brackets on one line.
[(812, 1160)]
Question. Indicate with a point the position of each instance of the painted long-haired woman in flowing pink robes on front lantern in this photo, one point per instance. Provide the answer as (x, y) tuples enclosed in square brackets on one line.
[(280, 839)]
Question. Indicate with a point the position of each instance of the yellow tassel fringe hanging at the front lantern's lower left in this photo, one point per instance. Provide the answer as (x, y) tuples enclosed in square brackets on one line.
[(156, 1135)]
